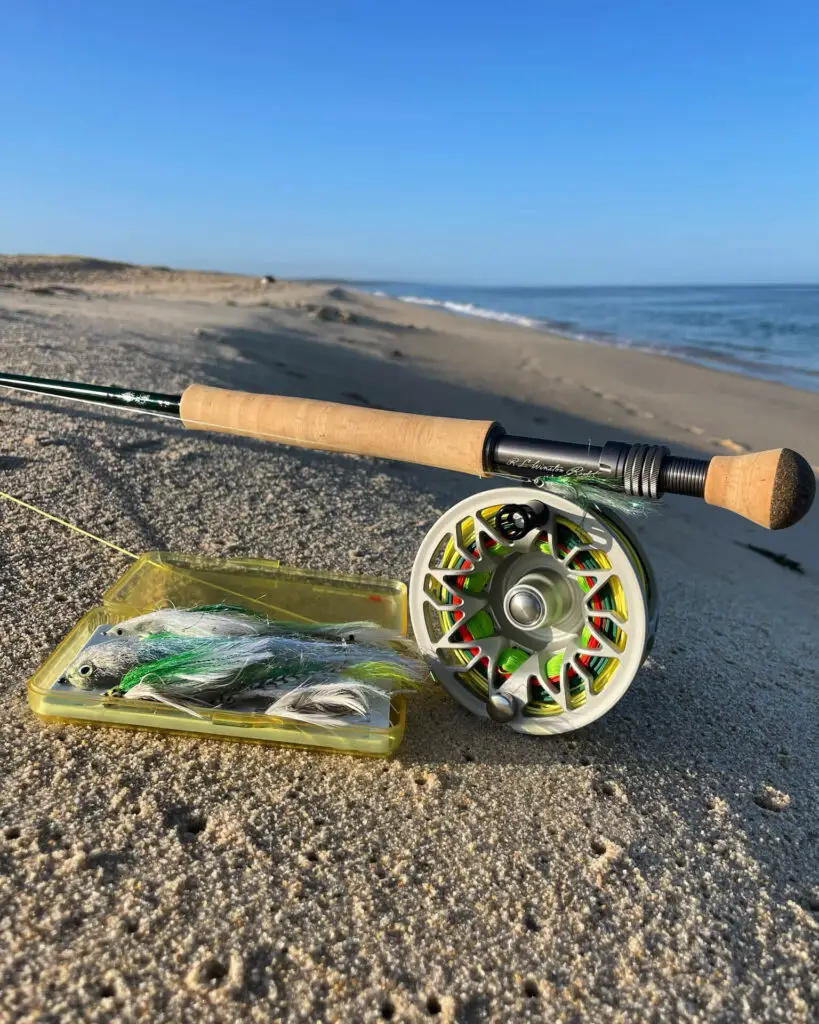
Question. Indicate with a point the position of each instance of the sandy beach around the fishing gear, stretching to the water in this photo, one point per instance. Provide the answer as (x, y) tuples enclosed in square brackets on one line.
[(661, 865)]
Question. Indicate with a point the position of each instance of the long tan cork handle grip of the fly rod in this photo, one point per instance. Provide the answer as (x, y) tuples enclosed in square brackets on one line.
[(327, 426)]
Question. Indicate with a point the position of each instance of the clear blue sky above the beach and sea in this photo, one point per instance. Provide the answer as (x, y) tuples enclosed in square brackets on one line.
[(472, 143)]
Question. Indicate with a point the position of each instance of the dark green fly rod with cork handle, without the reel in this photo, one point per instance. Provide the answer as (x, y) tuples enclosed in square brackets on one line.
[(773, 489)]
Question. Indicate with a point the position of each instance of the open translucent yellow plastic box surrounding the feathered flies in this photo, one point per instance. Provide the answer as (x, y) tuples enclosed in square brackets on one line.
[(161, 580)]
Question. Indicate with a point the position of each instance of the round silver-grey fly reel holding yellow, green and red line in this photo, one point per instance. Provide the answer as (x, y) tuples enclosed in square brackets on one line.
[(532, 611)]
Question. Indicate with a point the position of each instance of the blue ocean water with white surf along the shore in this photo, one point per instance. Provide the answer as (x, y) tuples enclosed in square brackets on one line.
[(769, 332)]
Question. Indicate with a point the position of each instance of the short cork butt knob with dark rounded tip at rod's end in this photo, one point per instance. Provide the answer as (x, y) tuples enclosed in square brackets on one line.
[(772, 489)]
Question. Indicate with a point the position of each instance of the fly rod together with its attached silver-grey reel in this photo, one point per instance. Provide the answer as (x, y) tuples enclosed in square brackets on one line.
[(530, 609)]
